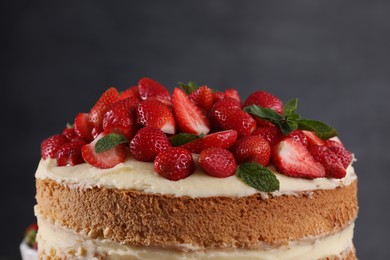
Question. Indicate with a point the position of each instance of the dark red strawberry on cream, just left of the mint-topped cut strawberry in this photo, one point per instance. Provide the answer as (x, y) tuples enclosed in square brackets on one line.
[(70, 153)]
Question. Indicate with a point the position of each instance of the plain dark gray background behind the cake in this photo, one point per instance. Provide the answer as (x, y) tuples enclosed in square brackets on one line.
[(58, 57)]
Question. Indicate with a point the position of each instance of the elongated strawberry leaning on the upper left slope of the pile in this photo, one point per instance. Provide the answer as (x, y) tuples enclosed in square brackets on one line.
[(107, 99)]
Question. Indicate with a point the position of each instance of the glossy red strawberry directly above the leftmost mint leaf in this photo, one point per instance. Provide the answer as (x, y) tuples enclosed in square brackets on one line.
[(121, 118)]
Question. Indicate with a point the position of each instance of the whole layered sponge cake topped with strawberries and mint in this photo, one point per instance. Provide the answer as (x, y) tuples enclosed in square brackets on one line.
[(198, 174)]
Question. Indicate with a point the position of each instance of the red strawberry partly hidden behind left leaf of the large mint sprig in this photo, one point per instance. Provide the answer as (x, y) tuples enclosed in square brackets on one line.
[(265, 100)]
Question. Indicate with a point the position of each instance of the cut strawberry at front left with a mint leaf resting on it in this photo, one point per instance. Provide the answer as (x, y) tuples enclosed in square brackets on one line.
[(106, 159)]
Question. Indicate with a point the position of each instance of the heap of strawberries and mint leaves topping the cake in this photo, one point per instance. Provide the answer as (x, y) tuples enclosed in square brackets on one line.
[(230, 137)]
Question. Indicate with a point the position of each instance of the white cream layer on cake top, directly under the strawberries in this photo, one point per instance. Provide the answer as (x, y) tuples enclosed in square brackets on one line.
[(140, 176)]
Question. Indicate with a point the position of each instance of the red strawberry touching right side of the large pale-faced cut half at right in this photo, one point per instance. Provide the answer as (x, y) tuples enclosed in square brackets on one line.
[(333, 166)]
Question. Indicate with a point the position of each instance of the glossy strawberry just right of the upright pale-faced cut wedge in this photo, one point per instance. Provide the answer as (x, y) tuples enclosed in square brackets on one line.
[(227, 118)]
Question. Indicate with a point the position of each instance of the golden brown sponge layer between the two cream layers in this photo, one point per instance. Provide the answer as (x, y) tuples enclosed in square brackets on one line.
[(215, 222)]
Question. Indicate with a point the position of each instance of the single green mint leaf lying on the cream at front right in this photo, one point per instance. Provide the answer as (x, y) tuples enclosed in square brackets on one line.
[(257, 176)]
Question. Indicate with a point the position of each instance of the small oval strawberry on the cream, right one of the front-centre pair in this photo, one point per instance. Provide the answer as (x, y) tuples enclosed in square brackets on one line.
[(217, 162)]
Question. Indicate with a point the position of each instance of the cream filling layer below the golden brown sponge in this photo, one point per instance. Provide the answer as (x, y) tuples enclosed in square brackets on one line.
[(55, 238)]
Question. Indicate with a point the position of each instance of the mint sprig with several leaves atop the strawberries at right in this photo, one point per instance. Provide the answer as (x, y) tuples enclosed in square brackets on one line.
[(290, 120)]
